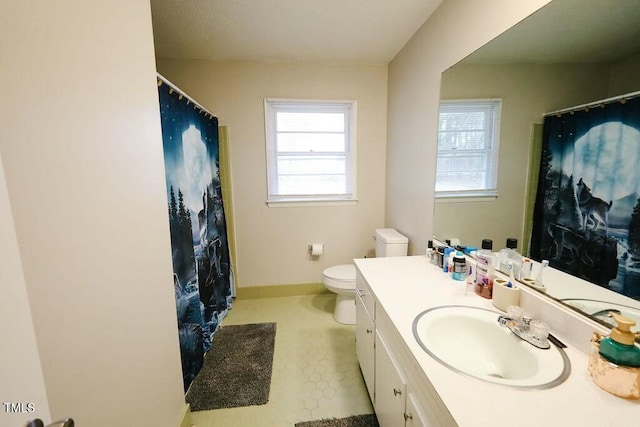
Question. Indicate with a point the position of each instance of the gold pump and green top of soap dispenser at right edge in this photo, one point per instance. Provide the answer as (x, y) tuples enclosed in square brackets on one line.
[(619, 347)]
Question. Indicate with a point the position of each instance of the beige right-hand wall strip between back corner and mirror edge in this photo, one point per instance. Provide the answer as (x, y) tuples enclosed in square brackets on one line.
[(455, 30)]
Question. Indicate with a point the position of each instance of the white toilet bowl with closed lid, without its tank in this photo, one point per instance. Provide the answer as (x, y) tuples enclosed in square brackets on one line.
[(341, 280)]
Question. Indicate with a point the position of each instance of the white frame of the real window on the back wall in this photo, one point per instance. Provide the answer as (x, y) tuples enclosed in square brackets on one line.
[(274, 105)]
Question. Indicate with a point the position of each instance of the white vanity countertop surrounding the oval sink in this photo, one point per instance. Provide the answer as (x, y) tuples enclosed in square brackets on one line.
[(406, 286)]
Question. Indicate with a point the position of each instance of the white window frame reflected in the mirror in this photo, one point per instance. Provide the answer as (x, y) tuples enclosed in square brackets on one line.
[(492, 128)]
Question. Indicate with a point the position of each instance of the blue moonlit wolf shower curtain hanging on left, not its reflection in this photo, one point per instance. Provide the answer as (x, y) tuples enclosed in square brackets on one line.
[(200, 251)]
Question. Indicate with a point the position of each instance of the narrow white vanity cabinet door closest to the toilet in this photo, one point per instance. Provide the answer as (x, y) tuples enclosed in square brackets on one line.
[(365, 340)]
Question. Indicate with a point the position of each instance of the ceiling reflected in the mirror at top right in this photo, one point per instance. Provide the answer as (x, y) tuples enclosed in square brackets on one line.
[(568, 31)]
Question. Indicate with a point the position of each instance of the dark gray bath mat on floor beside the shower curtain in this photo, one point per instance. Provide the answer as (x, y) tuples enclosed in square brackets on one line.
[(237, 369)]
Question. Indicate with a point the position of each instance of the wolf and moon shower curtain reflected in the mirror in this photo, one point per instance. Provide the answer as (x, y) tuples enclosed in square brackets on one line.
[(587, 211)]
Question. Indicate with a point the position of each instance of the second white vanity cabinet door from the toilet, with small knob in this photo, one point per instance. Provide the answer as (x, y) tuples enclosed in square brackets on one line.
[(390, 386)]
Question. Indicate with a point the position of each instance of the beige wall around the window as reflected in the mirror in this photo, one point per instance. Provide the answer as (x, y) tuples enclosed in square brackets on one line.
[(527, 92)]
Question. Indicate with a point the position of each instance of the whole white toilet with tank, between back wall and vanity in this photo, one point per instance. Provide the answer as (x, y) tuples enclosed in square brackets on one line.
[(341, 279)]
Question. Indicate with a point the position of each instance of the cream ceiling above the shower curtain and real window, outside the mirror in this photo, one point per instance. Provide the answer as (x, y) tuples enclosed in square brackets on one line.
[(353, 31)]
